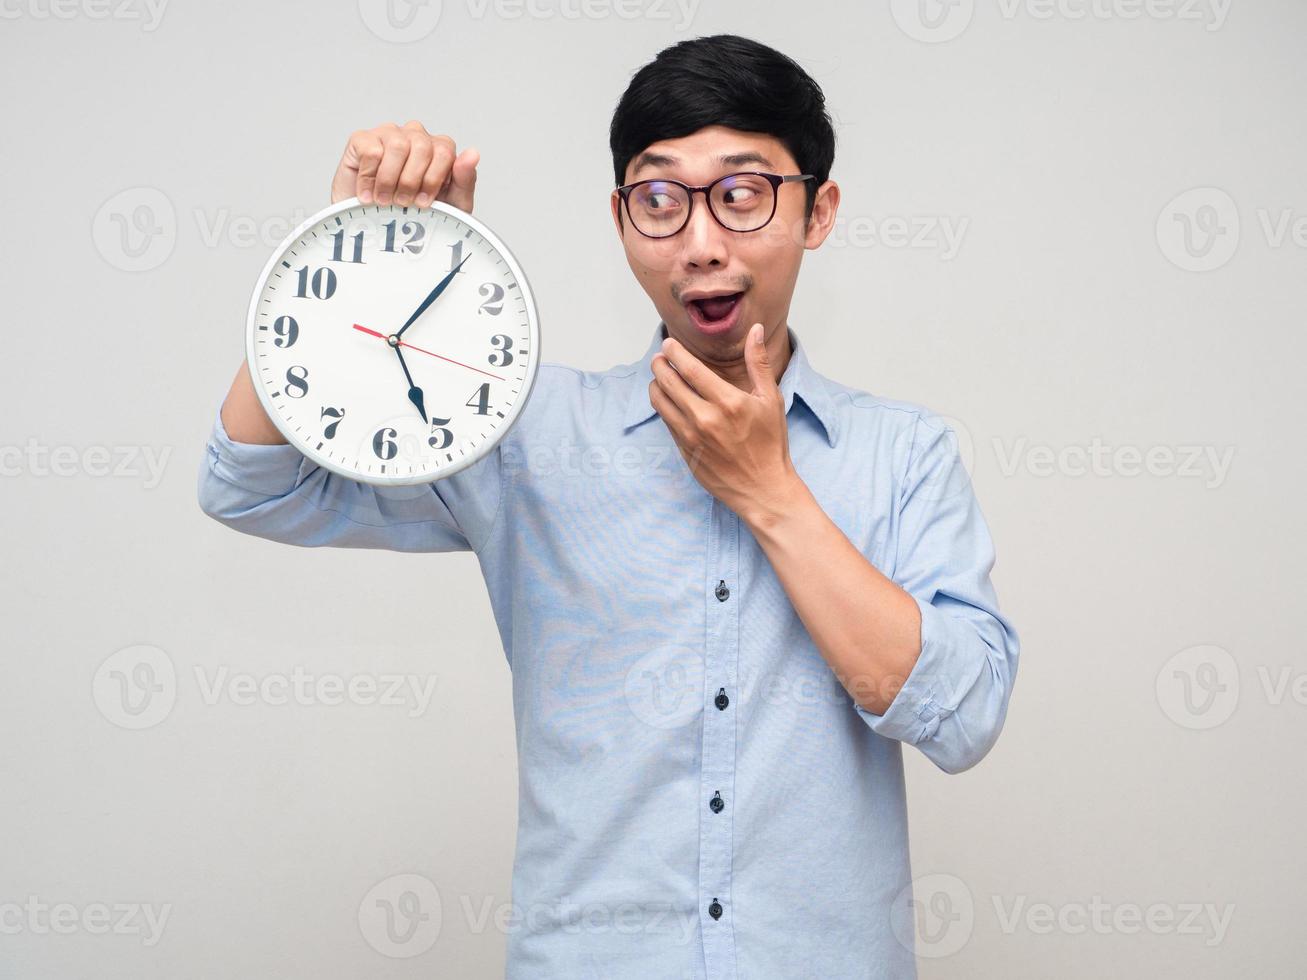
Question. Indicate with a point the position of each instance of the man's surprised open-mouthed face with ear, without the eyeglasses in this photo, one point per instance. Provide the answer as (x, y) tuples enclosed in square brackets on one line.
[(706, 261)]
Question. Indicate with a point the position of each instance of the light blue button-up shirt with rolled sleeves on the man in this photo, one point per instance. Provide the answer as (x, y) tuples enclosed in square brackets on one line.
[(699, 795)]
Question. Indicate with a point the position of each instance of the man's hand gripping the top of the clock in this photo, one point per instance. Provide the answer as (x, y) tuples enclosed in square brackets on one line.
[(406, 165)]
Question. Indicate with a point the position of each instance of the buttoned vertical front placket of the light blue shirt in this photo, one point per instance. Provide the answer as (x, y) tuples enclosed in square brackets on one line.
[(717, 786)]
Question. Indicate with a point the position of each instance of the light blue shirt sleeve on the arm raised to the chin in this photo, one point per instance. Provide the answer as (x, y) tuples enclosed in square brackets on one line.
[(955, 701)]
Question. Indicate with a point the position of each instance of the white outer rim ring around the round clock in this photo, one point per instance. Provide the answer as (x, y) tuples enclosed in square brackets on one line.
[(514, 414)]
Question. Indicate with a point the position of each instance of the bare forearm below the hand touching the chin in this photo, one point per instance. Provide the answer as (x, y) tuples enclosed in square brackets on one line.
[(866, 627)]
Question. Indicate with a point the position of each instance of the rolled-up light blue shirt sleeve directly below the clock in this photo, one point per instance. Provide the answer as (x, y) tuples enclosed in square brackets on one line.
[(278, 493)]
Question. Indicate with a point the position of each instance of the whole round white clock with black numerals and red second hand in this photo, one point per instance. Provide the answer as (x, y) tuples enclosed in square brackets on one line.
[(393, 346)]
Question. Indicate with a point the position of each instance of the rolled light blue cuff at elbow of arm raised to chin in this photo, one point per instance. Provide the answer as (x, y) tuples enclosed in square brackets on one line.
[(935, 685)]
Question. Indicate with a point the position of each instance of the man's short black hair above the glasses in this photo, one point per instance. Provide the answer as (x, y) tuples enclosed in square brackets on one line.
[(733, 82)]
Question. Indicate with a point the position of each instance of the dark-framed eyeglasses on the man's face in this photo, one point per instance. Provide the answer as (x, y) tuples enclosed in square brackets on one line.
[(744, 202)]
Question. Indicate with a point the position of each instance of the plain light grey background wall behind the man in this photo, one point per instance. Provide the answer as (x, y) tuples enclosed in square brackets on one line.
[(1152, 761)]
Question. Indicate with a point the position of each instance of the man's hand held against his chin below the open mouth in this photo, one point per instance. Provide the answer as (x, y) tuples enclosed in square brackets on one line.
[(736, 444)]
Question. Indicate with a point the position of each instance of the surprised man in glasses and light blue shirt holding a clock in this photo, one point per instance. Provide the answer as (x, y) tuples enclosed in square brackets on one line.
[(729, 587)]
